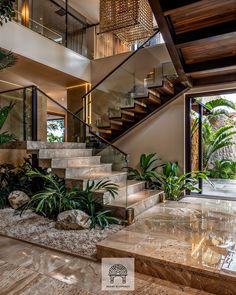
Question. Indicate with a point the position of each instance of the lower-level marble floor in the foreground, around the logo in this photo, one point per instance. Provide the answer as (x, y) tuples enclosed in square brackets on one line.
[(32, 270)]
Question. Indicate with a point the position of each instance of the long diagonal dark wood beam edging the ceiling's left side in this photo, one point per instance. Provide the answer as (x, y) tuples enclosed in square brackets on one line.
[(174, 53)]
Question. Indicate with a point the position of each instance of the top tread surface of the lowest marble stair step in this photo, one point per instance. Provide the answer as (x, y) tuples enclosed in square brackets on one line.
[(133, 199)]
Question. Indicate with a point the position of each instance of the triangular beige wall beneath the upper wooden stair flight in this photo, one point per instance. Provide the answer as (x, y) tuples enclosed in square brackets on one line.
[(163, 133)]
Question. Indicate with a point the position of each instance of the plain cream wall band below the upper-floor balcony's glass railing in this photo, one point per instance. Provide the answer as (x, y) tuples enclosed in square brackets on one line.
[(27, 43)]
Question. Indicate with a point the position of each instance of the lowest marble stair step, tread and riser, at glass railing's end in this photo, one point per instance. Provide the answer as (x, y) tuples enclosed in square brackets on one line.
[(140, 202)]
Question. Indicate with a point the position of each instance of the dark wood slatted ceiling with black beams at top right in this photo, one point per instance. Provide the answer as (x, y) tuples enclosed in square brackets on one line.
[(200, 37)]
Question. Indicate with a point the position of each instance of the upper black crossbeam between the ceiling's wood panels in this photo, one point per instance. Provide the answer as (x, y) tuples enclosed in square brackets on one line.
[(206, 34)]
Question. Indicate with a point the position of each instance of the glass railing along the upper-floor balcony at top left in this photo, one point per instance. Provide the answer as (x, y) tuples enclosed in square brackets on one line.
[(54, 20)]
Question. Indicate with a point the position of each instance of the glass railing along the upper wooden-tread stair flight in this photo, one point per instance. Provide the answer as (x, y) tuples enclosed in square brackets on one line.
[(148, 66)]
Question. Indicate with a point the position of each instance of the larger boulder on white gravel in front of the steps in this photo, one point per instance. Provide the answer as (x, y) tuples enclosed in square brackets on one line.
[(73, 219)]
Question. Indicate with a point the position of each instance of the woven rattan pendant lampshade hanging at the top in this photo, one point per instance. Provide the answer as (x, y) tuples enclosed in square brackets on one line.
[(130, 20)]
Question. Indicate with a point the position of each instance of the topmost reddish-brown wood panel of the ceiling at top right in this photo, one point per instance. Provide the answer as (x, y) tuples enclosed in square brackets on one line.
[(203, 14)]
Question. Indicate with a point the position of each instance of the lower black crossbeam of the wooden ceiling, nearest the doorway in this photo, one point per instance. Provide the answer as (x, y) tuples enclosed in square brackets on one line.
[(211, 65)]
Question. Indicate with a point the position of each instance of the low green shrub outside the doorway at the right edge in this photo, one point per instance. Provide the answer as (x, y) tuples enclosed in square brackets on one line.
[(224, 169)]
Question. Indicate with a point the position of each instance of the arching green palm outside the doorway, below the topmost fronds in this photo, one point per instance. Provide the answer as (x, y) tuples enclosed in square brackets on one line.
[(214, 140)]
